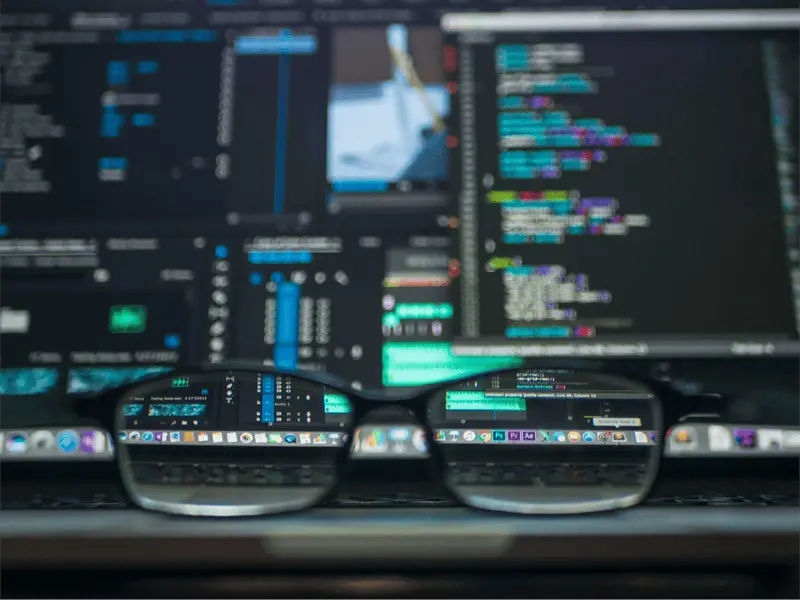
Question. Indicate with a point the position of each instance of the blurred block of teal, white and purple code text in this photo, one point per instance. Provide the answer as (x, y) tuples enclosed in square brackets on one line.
[(544, 135)]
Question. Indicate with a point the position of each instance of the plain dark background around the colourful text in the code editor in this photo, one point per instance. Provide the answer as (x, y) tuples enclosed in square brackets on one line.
[(713, 260)]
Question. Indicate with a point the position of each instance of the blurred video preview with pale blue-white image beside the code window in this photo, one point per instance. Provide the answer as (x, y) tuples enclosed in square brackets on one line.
[(387, 110)]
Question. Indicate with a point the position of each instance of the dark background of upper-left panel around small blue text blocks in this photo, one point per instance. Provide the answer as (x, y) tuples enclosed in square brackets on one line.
[(185, 127)]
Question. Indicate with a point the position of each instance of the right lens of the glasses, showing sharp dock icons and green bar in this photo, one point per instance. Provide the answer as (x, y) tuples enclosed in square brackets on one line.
[(548, 441)]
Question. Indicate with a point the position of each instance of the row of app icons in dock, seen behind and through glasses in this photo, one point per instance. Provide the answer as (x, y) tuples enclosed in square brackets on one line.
[(686, 440)]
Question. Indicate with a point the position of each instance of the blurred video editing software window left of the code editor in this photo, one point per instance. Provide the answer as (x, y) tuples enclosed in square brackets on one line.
[(206, 183)]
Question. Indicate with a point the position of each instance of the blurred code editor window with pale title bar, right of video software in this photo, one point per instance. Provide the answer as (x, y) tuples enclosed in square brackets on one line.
[(583, 190)]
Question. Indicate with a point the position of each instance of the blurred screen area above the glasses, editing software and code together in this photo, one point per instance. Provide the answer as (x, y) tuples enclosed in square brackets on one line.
[(387, 196)]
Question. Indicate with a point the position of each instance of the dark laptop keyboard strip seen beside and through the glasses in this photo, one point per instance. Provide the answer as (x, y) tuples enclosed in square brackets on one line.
[(88, 497)]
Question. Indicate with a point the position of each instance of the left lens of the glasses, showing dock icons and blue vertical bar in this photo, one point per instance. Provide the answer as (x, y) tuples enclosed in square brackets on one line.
[(232, 443)]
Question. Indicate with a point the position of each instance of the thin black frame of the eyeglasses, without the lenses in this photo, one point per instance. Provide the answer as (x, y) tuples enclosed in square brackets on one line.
[(363, 402)]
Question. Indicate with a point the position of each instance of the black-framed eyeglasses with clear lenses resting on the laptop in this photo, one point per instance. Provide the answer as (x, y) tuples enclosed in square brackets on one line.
[(231, 442)]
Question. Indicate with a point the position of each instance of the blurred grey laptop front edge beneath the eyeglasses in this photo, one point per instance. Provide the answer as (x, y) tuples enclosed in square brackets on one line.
[(399, 538)]
